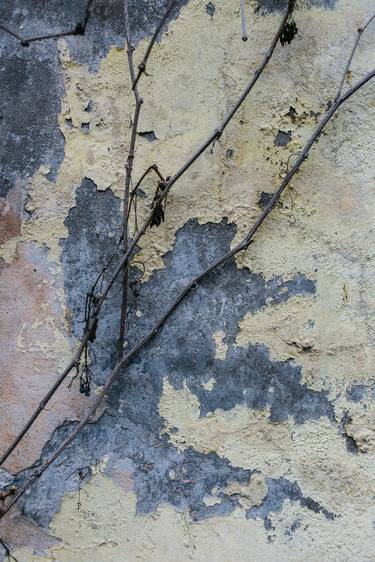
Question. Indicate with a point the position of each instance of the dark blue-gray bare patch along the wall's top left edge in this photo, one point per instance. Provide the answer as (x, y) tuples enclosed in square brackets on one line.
[(105, 27)]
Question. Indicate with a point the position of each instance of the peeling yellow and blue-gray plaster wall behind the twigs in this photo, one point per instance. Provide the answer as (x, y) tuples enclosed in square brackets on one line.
[(245, 430)]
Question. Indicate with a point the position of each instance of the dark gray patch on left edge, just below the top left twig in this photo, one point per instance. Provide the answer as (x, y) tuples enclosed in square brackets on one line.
[(30, 92)]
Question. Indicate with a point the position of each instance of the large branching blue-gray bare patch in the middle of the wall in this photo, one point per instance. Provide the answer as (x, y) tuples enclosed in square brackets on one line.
[(183, 350)]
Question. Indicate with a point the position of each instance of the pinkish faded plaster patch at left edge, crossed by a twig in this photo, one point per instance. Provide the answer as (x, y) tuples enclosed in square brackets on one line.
[(30, 358)]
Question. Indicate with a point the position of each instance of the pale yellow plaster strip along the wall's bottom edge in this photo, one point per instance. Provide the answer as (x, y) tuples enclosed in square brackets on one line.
[(104, 529)]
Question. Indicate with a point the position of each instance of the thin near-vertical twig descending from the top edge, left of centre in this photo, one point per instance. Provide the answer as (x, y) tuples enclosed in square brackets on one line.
[(128, 179)]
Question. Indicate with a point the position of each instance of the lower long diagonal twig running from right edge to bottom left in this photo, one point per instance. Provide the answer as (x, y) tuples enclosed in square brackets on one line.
[(242, 245)]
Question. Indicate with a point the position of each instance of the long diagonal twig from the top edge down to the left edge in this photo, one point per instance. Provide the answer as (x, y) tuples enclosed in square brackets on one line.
[(168, 184)]
